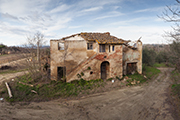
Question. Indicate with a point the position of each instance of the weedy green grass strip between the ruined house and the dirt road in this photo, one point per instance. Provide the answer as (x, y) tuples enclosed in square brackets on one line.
[(45, 90)]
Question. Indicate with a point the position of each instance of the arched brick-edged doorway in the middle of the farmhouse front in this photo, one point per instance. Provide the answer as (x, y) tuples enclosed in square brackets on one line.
[(104, 69)]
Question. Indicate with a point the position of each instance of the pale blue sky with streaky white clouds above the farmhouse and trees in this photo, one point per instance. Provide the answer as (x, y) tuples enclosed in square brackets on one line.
[(126, 19)]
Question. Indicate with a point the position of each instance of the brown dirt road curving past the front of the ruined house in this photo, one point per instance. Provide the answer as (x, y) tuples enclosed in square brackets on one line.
[(146, 102)]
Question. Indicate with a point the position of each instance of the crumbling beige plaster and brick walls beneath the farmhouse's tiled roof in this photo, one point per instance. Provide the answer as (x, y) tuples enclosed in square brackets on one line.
[(89, 63)]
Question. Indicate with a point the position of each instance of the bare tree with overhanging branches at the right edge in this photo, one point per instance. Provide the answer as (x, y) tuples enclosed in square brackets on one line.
[(172, 14)]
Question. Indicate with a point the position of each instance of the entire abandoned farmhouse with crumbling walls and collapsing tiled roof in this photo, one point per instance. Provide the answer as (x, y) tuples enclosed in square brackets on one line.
[(94, 56)]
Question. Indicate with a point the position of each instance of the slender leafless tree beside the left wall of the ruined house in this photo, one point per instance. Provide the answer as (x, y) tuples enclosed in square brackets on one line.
[(37, 59)]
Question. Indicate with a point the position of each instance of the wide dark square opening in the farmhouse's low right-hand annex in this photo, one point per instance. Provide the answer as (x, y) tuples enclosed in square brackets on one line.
[(131, 68)]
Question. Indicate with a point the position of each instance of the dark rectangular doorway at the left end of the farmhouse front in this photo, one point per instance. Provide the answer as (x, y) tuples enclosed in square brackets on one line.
[(61, 73)]
